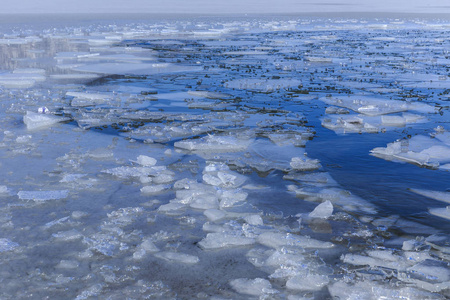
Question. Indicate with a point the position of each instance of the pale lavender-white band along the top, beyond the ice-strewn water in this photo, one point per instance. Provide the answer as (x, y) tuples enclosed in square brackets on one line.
[(222, 6)]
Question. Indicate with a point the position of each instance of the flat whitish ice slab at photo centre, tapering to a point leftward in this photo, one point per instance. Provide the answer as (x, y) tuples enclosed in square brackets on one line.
[(215, 143)]
